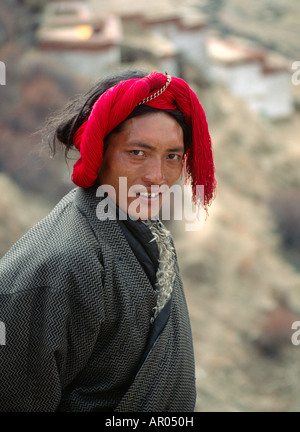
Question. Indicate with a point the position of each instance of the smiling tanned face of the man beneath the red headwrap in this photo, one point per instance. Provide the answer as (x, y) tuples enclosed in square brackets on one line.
[(148, 152)]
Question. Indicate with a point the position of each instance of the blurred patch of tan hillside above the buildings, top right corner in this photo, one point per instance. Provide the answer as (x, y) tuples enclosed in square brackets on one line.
[(271, 24)]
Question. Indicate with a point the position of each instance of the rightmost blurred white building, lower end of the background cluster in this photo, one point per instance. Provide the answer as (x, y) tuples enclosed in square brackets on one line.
[(261, 80)]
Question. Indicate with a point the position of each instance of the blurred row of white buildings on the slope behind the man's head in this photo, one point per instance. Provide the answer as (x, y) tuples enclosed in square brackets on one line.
[(95, 37)]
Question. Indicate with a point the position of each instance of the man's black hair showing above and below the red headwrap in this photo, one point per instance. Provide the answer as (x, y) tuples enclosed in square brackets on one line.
[(61, 127)]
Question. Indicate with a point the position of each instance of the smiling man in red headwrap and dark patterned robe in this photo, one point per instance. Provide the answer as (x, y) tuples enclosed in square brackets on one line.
[(91, 297)]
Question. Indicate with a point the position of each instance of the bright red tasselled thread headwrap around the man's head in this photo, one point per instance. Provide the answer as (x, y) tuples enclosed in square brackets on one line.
[(119, 101)]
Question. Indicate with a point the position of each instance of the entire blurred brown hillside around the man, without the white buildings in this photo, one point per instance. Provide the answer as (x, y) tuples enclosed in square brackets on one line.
[(241, 271)]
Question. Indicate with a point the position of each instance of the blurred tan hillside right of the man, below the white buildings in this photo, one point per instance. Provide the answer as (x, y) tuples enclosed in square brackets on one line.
[(235, 271)]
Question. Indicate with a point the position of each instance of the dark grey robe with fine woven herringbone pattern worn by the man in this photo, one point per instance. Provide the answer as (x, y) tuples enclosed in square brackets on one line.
[(77, 305)]
